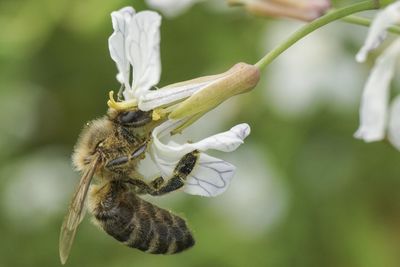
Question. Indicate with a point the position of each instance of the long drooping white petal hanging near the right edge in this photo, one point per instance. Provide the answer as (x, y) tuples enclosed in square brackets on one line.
[(373, 110)]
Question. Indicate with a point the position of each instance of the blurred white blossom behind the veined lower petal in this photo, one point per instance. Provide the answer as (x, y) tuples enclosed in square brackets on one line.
[(257, 199)]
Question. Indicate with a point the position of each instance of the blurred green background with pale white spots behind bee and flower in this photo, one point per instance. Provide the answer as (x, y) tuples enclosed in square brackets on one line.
[(306, 192)]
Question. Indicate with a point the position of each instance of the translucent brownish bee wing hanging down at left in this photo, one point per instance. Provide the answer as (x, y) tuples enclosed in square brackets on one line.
[(75, 212)]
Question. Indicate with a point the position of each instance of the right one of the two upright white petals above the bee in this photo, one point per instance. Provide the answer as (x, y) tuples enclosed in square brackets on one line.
[(143, 50)]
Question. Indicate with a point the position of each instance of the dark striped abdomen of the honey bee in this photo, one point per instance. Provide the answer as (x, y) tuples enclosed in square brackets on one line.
[(138, 223)]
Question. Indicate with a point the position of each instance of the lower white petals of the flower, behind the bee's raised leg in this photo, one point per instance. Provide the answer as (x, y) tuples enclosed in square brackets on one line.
[(210, 176)]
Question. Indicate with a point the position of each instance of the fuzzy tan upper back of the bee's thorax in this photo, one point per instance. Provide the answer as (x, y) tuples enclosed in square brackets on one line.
[(90, 140)]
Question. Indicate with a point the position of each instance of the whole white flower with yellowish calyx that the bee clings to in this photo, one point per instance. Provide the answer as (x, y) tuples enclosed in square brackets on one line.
[(134, 46)]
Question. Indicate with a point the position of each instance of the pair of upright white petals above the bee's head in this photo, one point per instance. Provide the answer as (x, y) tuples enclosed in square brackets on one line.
[(135, 44)]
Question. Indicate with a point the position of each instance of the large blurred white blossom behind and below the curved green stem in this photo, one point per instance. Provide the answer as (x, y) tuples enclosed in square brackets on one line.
[(315, 72)]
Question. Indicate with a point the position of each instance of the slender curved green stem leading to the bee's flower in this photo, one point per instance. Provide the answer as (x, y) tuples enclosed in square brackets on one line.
[(312, 26)]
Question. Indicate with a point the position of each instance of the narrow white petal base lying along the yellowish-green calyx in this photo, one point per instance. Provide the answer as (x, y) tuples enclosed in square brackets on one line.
[(164, 96)]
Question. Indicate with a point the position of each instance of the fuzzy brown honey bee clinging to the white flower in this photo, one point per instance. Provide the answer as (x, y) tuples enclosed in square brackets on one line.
[(110, 149)]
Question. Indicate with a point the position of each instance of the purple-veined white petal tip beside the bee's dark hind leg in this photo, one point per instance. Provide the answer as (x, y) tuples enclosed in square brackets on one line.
[(210, 177)]
